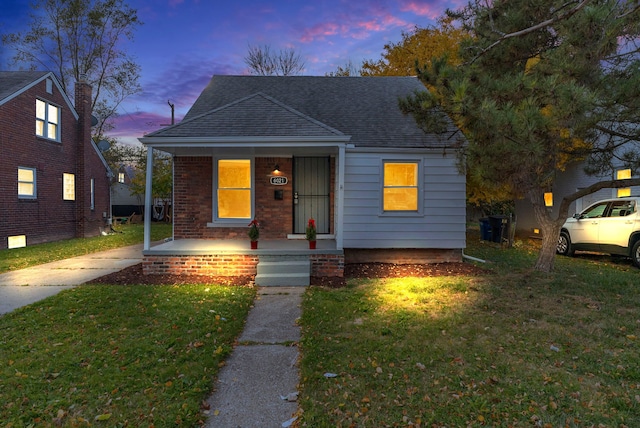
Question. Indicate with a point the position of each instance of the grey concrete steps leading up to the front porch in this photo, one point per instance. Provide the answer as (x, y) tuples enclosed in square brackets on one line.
[(283, 271)]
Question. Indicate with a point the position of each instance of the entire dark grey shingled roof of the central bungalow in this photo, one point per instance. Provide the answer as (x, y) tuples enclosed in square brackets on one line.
[(363, 108)]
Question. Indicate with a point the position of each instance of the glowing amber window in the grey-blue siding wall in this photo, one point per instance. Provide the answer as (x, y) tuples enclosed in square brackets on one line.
[(400, 186)]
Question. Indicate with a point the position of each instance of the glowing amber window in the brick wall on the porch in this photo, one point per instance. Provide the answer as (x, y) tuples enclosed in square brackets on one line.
[(234, 189)]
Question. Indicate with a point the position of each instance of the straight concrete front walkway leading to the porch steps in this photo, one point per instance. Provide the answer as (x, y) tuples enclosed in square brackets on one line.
[(257, 387)]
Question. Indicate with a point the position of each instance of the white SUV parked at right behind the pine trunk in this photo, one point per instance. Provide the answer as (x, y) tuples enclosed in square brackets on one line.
[(609, 226)]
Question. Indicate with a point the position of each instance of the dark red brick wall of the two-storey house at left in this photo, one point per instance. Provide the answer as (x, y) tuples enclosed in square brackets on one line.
[(47, 217)]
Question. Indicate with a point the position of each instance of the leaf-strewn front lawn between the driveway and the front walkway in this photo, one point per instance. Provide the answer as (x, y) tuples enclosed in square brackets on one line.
[(117, 356)]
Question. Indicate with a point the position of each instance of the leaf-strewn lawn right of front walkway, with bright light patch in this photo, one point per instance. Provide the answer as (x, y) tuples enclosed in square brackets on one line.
[(516, 348)]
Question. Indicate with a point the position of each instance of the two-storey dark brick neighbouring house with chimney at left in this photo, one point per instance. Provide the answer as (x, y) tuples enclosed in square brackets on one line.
[(54, 181)]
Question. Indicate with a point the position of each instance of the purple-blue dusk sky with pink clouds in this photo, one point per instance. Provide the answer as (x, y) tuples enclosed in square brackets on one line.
[(182, 43)]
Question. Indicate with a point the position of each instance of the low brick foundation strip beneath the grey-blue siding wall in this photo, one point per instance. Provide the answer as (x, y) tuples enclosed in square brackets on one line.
[(402, 256)]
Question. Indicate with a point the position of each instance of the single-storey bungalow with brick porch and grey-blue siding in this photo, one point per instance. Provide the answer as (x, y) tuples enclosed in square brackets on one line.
[(284, 150)]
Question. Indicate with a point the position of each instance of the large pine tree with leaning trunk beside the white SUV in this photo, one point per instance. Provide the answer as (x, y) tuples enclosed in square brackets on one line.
[(540, 85)]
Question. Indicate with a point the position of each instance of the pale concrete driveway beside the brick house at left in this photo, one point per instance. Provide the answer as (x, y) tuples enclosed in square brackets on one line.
[(23, 287)]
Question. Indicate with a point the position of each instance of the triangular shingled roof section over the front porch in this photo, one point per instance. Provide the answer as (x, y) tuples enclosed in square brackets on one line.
[(256, 115)]
